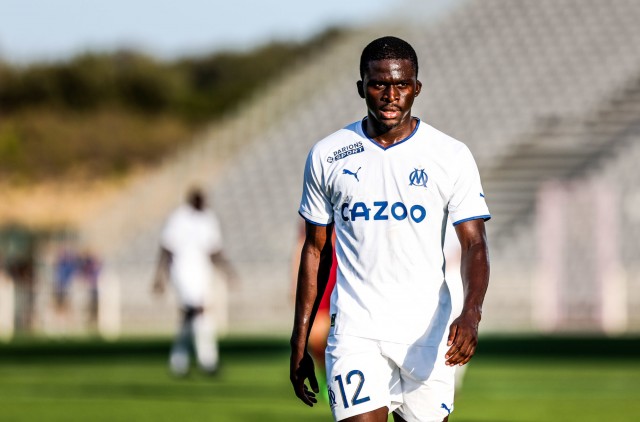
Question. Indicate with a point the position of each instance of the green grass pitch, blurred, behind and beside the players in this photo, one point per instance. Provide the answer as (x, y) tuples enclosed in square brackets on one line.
[(129, 382)]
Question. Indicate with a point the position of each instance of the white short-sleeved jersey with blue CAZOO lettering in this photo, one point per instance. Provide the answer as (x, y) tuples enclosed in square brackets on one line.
[(390, 208)]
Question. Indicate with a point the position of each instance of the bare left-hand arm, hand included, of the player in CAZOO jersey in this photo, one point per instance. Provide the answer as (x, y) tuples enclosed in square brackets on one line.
[(315, 265)]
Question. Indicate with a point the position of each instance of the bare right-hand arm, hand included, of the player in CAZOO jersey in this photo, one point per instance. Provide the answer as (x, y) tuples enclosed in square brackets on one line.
[(474, 268)]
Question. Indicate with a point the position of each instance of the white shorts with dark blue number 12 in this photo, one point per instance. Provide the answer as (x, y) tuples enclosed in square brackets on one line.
[(365, 375)]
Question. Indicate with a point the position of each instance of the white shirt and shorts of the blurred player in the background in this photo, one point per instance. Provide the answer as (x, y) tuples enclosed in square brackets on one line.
[(192, 237)]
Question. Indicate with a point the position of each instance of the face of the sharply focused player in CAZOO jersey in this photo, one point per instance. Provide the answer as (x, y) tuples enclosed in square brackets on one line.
[(389, 88)]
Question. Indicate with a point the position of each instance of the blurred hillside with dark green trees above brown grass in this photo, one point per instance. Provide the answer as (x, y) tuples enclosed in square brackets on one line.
[(106, 113)]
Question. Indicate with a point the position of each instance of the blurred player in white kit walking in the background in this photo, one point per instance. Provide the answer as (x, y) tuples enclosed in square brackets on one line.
[(191, 243)]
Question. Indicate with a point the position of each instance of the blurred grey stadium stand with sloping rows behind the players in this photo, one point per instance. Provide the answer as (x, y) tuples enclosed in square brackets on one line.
[(540, 90)]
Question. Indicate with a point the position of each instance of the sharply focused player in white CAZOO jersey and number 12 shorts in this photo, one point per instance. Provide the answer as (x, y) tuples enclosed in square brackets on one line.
[(388, 184)]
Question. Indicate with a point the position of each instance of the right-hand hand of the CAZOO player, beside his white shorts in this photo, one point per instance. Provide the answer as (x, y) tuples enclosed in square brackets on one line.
[(463, 339)]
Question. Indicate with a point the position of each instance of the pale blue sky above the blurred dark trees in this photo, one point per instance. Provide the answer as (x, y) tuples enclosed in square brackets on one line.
[(34, 30)]
